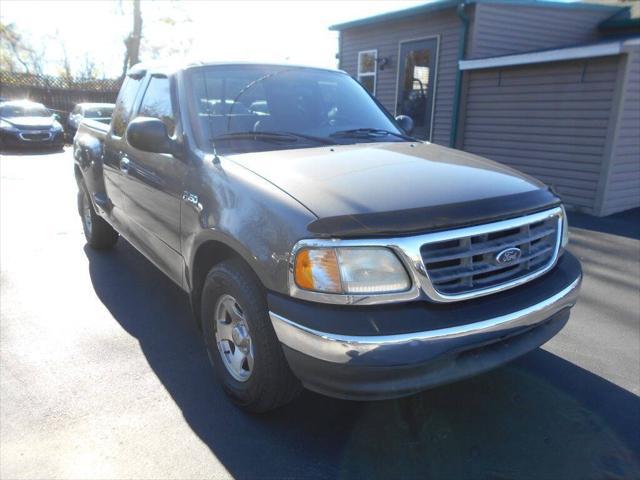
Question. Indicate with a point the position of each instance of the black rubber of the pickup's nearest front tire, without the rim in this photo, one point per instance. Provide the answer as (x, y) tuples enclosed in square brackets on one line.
[(271, 383)]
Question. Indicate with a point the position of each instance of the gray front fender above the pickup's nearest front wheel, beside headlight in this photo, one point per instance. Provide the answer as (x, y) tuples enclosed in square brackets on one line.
[(247, 214)]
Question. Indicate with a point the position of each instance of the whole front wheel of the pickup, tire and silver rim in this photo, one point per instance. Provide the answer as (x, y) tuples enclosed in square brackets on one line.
[(234, 305)]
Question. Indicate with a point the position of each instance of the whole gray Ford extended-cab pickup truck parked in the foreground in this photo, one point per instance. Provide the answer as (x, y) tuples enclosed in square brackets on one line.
[(321, 245)]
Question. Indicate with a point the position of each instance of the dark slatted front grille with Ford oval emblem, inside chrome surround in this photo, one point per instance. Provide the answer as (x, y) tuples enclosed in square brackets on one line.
[(466, 264)]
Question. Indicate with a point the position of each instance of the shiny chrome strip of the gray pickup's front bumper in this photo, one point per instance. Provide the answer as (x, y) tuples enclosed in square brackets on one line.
[(343, 348)]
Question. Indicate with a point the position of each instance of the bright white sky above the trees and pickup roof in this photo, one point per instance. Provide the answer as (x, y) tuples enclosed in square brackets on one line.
[(269, 31)]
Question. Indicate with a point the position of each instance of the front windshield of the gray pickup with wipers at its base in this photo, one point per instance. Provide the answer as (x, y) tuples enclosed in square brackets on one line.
[(251, 108)]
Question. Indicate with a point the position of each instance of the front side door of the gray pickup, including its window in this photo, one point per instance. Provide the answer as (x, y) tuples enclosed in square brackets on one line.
[(154, 187)]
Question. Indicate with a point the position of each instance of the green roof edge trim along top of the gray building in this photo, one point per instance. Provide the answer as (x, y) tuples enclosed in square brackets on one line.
[(444, 4)]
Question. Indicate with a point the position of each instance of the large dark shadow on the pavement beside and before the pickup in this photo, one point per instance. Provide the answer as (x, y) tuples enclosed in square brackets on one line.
[(539, 417)]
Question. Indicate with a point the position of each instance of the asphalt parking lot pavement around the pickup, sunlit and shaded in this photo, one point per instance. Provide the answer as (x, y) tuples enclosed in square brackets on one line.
[(103, 374)]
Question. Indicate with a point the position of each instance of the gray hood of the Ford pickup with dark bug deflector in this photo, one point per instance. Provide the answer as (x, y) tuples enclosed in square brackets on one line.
[(393, 187)]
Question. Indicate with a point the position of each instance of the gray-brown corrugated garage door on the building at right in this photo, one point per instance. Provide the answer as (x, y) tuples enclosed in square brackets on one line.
[(548, 120)]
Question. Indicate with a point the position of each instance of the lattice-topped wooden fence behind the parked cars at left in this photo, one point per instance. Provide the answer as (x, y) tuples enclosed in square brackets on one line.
[(59, 94)]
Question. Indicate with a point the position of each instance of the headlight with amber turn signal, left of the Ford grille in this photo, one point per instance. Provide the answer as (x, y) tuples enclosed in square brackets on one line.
[(350, 270)]
